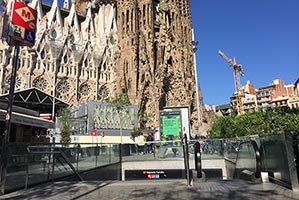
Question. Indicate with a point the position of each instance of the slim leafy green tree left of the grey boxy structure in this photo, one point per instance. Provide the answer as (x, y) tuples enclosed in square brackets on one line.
[(65, 124)]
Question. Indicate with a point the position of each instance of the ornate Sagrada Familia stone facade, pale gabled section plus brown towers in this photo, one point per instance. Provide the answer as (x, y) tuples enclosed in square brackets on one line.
[(91, 50)]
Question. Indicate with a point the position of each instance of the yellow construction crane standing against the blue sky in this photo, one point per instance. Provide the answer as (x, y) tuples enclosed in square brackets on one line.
[(237, 72)]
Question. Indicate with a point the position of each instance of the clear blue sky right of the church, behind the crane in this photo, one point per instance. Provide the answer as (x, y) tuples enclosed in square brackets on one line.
[(263, 35)]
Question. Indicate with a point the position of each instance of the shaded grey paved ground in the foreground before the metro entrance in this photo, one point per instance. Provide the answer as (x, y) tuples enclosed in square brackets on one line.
[(153, 190)]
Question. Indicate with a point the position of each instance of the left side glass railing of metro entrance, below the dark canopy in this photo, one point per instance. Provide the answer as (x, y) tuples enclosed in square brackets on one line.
[(31, 164)]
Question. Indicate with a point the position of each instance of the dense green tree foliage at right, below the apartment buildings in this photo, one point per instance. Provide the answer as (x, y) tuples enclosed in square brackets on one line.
[(259, 122)]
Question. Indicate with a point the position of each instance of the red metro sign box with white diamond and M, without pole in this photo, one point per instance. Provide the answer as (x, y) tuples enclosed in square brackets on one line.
[(22, 26)]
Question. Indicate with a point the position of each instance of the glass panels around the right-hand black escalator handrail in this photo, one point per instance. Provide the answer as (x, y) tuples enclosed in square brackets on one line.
[(269, 155)]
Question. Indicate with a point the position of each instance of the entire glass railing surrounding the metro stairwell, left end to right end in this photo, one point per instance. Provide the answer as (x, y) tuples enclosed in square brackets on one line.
[(44, 164)]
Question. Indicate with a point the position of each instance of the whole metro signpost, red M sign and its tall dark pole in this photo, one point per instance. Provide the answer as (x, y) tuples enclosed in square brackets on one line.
[(20, 31)]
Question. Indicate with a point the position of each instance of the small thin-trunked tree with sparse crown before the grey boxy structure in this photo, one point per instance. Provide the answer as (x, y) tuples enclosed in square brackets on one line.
[(120, 103)]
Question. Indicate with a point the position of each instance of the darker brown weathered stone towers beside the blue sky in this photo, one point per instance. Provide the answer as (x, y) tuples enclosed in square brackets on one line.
[(156, 66)]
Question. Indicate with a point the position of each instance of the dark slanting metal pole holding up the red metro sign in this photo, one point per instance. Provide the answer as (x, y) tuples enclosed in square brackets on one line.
[(6, 136)]
